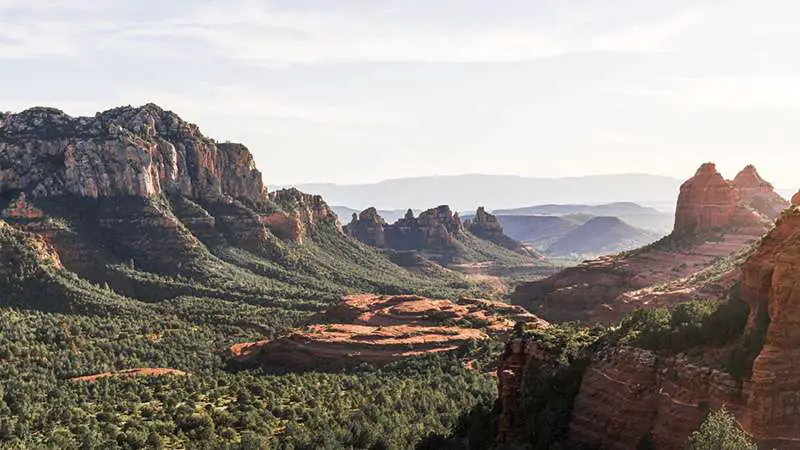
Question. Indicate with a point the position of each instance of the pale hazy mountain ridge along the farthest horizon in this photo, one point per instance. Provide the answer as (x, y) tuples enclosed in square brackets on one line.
[(467, 192)]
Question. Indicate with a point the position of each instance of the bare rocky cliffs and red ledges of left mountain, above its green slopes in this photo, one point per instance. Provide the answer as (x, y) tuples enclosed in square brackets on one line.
[(110, 173)]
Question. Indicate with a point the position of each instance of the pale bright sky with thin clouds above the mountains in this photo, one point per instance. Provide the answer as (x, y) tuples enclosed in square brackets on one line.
[(357, 91)]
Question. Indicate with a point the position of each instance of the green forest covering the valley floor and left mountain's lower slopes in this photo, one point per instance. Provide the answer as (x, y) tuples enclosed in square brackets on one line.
[(124, 312)]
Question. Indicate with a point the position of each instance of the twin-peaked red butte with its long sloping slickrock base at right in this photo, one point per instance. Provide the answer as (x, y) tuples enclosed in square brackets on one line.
[(711, 223)]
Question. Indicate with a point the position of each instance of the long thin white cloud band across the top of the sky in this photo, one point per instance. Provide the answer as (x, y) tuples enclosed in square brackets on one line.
[(252, 32)]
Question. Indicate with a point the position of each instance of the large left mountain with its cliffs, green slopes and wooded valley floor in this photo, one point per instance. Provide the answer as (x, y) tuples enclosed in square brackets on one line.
[(134, 250)]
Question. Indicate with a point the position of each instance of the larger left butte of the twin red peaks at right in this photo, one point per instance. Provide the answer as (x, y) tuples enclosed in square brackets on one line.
[(707, 202)]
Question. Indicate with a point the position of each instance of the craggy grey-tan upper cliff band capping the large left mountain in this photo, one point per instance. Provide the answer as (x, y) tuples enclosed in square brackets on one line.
[(125, 151)]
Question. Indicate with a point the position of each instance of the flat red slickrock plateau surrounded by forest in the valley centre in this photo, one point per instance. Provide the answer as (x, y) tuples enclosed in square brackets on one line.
[(379, 329)]
